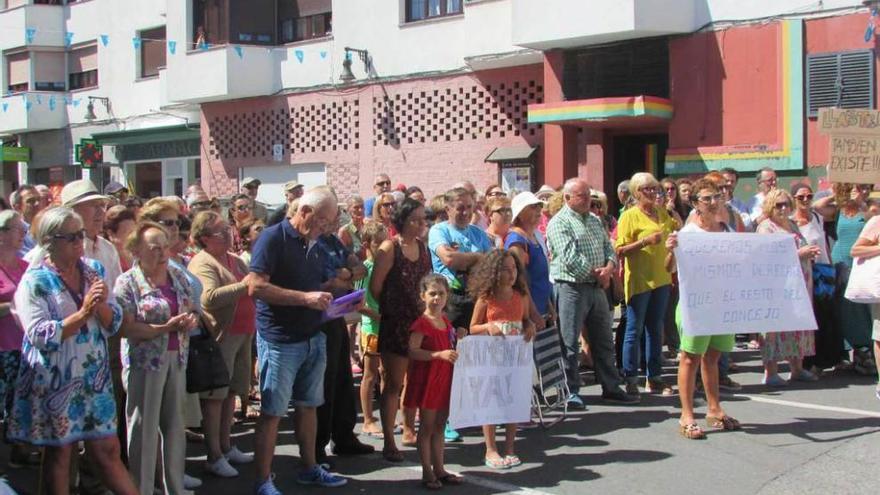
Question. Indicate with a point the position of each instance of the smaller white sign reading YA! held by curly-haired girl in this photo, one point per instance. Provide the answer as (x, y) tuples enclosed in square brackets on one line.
[(491, 382)]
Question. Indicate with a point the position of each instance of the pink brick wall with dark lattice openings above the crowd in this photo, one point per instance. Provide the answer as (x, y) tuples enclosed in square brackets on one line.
[(433, 133)]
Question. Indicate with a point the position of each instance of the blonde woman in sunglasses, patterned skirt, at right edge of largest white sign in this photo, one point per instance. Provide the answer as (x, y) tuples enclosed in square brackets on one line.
[(787, 346)]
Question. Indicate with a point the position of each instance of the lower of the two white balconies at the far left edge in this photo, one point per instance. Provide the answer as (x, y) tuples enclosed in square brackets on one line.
[(32, 111)]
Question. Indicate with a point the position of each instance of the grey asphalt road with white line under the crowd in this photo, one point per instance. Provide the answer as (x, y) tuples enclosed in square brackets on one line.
[(821, 438)]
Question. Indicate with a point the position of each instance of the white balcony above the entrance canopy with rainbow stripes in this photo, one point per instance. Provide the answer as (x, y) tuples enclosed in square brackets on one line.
[(571, 23)]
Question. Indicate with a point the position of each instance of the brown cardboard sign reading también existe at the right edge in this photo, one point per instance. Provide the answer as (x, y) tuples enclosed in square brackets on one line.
[(854, 143)]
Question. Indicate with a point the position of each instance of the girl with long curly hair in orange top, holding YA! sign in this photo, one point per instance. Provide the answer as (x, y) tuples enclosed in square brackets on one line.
[(499, 287)]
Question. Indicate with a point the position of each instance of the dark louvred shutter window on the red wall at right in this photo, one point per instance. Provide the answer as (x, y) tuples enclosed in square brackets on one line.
[(842, 80)]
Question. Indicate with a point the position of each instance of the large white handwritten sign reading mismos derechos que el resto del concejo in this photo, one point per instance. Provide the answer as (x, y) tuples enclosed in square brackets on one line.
[(741, 283)]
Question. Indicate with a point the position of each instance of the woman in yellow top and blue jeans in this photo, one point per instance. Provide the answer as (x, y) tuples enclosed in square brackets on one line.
[(641, 244)]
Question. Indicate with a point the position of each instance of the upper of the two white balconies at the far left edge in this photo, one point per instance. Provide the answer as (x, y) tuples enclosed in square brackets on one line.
[(47, 22)]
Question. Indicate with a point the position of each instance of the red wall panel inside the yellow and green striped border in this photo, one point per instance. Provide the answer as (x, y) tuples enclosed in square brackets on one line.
[(724, 87)]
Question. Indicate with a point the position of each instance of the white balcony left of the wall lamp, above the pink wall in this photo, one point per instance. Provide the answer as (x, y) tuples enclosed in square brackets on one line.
[(220, 73)]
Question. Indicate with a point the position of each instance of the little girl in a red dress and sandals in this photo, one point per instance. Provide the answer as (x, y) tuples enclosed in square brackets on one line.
[(429, 379)]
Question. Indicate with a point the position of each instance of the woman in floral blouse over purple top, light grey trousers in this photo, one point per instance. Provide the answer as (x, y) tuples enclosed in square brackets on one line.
[(159, 310)]
